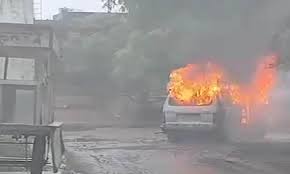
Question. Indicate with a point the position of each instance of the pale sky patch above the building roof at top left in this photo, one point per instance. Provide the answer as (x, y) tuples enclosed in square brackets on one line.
[(50, 7)]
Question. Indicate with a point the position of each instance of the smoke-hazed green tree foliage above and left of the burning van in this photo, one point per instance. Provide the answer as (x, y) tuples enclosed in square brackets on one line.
[(168, 34)]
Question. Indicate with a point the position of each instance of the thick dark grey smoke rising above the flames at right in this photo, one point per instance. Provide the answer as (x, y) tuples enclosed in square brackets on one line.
[(238, 41)]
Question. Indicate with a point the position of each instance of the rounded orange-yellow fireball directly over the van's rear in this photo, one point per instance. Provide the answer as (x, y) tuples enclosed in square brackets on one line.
[(195, 85)]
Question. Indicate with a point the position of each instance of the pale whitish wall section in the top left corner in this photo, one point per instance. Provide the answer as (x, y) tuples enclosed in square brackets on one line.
[(16, 11)]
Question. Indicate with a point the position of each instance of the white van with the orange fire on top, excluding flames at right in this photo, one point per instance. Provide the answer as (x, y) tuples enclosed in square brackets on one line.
[(194, 100)]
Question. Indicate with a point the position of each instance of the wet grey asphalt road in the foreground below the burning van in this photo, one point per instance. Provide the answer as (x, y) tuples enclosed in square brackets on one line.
[(146, 151)]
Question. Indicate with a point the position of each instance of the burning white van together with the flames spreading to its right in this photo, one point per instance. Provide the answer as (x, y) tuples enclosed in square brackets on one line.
[(200, 97)]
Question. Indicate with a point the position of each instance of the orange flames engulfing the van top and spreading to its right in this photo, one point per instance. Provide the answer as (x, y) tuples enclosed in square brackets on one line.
[(201, 85)]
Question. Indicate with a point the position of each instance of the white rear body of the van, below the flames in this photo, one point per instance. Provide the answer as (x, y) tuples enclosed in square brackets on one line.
[(180, 118)]
